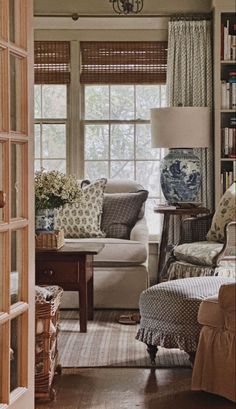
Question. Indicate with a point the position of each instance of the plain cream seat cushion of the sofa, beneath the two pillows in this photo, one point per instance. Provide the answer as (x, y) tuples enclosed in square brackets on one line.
[(117, 252)]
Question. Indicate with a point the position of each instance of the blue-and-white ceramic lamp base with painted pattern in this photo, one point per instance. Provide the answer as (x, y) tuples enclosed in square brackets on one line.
[(180, 176)]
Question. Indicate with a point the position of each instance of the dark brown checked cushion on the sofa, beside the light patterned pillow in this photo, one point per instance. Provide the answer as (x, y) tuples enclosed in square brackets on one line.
[(120, 213)]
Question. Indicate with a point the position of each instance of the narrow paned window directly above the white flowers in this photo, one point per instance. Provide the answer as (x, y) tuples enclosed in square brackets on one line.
[(51, 127)]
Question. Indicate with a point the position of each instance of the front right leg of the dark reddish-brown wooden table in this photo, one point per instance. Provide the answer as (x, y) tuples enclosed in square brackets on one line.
[(83, 298)]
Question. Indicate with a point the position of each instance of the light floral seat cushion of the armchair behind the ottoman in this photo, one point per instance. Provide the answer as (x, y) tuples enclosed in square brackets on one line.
[(200, 253)]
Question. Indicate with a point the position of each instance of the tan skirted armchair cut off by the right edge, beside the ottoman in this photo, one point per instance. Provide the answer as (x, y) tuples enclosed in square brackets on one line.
[(214, 366)]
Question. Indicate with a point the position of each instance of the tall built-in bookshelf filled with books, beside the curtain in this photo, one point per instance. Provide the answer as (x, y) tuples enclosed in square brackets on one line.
[(224, 95)]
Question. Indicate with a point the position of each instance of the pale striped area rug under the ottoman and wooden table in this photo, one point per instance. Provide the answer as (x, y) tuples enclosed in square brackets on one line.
[(108, 344)]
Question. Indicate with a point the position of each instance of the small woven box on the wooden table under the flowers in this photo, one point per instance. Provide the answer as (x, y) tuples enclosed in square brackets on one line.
[(50, 240)]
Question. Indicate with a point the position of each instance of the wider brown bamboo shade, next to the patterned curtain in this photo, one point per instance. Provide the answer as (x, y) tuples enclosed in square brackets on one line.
[(123, 62)]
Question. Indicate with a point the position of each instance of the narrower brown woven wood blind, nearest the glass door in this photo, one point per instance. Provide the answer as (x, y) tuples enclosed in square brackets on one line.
[(52, 62)]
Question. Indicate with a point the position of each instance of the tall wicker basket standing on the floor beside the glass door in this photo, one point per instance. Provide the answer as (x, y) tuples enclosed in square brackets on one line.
[(46, 355)]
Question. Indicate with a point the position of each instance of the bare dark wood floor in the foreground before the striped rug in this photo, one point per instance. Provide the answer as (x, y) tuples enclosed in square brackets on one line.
[(126, 388)]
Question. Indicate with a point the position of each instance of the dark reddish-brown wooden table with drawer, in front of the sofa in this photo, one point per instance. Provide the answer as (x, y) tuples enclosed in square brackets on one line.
[(70, 267)]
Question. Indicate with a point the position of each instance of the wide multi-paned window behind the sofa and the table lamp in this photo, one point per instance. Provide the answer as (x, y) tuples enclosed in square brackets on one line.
[(117, 137)]
